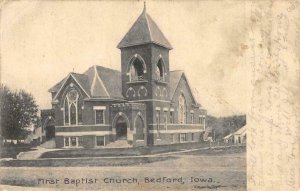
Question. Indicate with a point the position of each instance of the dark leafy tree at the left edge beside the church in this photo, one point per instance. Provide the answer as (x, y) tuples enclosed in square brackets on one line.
[(18, 113)]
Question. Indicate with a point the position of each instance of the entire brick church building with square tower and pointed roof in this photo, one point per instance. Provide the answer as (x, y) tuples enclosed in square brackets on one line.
[(145, 104)]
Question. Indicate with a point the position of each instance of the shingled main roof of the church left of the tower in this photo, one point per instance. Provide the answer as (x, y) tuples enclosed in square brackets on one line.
[(96, 82)]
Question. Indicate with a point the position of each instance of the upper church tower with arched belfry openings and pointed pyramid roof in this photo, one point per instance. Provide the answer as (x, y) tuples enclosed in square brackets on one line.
[(145, 61)]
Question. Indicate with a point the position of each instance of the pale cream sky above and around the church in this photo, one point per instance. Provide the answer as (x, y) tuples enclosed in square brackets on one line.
[(42, 41)]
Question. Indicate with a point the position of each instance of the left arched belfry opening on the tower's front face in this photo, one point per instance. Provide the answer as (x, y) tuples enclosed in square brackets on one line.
[(137, 69)]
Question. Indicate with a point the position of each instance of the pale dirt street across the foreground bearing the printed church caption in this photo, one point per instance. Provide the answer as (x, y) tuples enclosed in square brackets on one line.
[(226, 172)]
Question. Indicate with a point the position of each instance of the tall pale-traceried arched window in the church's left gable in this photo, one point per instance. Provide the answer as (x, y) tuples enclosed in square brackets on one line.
[(73, 108)]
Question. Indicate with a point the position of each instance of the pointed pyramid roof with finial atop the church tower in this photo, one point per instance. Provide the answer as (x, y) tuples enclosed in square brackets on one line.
[(143, 31)]
